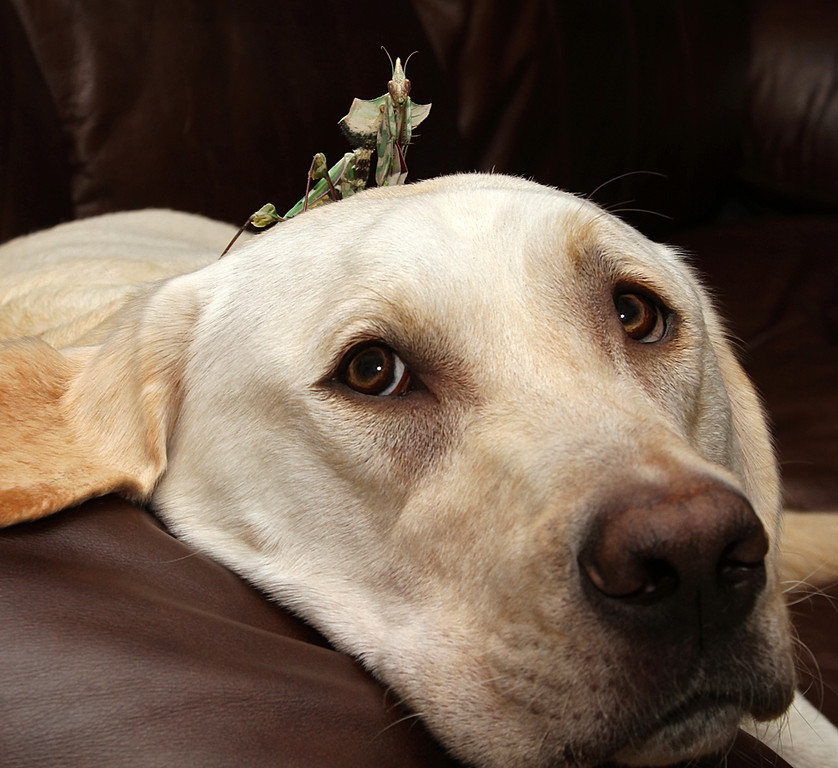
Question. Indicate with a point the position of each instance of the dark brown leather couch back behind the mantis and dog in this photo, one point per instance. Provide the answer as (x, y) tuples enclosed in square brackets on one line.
[(215, 107)]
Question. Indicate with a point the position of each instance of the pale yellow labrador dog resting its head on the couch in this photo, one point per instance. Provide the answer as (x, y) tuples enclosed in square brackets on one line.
[(483, 435)]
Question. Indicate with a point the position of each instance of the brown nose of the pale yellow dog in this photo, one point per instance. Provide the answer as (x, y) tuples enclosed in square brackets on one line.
[(688, 558)]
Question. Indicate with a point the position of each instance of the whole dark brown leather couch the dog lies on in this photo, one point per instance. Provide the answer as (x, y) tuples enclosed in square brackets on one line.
[(712, 125)]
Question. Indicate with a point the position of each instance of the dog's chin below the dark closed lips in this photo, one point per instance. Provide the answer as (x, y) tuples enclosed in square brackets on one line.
[(702, 730)]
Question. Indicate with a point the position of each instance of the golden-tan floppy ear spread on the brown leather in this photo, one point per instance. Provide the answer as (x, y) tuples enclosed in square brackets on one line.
[(92, 420)]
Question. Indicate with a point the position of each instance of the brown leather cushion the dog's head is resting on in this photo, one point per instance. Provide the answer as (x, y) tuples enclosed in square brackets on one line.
[(121, 647)]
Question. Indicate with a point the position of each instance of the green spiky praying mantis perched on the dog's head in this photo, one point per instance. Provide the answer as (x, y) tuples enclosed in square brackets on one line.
[(385, 125)]
